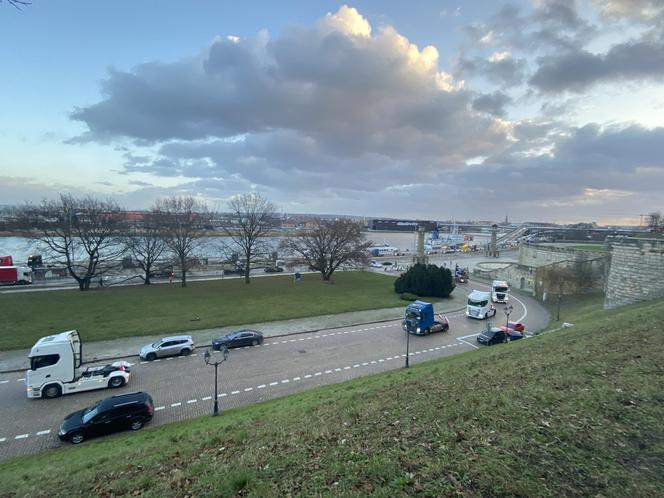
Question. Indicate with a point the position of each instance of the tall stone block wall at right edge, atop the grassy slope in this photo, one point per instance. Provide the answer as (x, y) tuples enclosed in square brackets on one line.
[(636, 270)]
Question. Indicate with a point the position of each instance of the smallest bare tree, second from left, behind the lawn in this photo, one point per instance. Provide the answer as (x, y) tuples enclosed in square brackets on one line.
[(146, 244)]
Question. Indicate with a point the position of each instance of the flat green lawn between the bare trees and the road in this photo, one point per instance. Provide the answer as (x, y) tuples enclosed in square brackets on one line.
[(162, 309)]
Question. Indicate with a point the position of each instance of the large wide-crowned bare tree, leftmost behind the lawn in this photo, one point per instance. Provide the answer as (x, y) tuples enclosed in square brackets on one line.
[(82, 234)]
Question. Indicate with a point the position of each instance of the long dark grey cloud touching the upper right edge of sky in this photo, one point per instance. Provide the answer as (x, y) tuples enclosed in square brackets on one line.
[(578, 70)]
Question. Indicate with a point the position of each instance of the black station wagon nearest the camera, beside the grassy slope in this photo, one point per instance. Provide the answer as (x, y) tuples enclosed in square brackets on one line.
[(121, 412)]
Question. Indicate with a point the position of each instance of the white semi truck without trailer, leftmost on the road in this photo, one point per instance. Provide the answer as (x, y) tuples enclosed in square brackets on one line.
[(55, 368)]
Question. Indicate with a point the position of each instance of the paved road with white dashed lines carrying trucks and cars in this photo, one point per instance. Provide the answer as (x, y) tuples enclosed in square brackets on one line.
[(183, 387)]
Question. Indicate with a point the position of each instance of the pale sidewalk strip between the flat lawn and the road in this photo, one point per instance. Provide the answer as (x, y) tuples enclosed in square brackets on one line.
[(16, 360)]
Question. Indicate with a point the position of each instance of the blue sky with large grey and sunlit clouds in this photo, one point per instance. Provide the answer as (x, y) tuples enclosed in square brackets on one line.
[(541, 110)]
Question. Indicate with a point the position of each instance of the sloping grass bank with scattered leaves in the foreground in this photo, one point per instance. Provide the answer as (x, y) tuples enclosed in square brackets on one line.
[(572, 413)]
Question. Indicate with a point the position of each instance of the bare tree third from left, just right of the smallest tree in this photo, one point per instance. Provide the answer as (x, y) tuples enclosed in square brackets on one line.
[(182, 221)]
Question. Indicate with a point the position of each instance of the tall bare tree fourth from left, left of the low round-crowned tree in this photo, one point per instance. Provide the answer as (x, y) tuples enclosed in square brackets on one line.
[(252, 217)]
